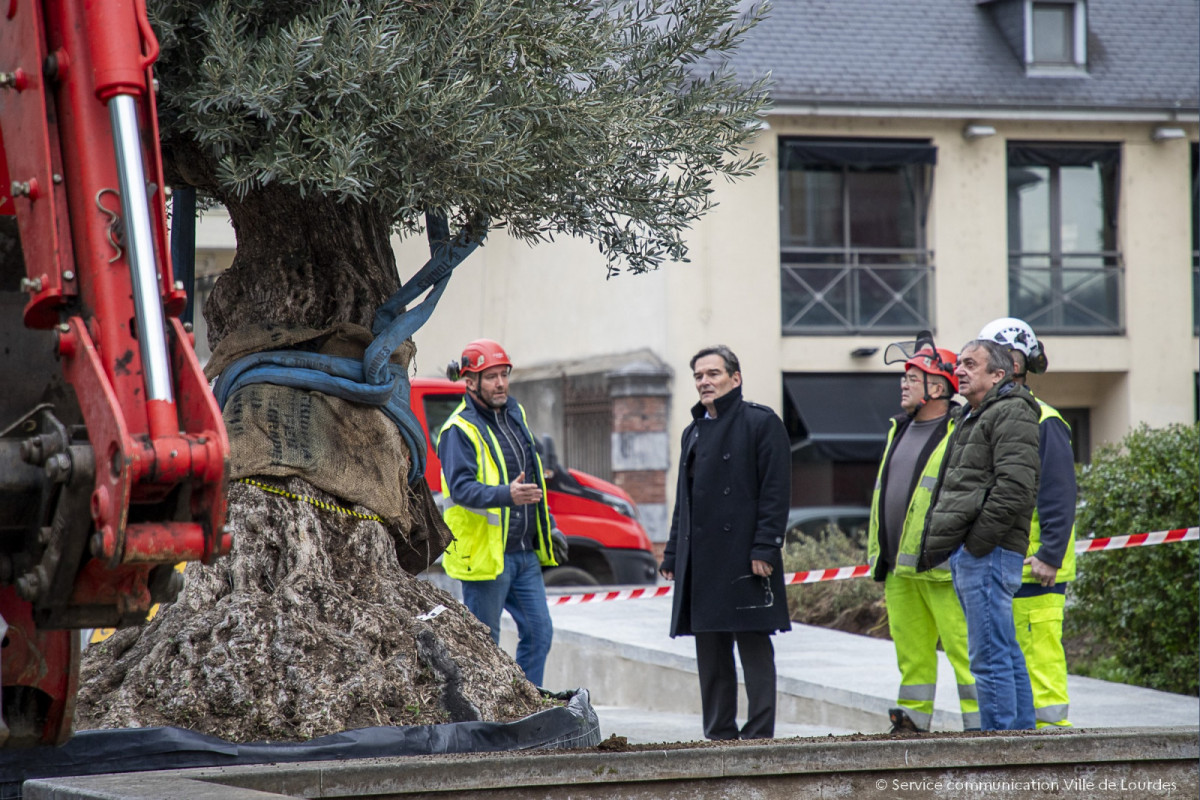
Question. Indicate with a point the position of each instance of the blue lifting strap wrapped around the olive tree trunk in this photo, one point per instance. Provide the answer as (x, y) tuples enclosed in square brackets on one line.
[(375, 381)]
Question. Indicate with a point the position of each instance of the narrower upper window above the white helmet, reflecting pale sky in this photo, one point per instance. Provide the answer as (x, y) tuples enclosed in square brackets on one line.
[(1065, 272)]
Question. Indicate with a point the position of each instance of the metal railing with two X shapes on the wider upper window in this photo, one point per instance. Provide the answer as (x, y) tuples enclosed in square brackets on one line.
[(857, 291)]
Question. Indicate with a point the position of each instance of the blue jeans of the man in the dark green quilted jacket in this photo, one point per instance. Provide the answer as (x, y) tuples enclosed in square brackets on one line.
[(986, 588)]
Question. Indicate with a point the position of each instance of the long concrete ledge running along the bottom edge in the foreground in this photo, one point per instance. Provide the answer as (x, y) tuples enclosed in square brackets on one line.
[(1143, 763)]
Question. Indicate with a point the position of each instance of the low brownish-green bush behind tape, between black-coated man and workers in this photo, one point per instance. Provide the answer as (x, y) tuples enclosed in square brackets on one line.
[(855, 606)]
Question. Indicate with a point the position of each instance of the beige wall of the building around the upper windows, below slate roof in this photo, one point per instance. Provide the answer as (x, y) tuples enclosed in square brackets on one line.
[(554, 303)]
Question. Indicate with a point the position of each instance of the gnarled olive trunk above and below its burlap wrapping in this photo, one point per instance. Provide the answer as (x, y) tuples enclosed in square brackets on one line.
[(309, 627)]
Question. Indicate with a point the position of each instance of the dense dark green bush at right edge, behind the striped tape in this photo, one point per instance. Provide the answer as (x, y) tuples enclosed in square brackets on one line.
[(1139, 607)]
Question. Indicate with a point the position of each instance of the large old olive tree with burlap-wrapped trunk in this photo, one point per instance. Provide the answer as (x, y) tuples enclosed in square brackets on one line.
[(325, 128)]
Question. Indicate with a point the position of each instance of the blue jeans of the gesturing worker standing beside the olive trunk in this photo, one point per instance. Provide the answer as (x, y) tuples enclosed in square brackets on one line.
[(520, 592)]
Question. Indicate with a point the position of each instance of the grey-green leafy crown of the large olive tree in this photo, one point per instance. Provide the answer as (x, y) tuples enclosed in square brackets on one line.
[(604, 119)]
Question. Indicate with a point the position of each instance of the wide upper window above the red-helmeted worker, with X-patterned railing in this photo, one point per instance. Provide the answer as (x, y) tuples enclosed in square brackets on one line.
[(853, 230)]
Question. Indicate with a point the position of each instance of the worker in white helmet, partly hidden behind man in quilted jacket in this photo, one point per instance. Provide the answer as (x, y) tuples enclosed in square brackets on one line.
[(1051, 561)]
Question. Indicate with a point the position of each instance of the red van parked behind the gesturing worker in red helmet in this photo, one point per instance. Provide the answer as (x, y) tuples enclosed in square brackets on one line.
[(608, 545)]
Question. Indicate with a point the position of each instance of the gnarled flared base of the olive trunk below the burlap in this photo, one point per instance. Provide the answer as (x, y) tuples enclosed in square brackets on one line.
[(307, 629)]
